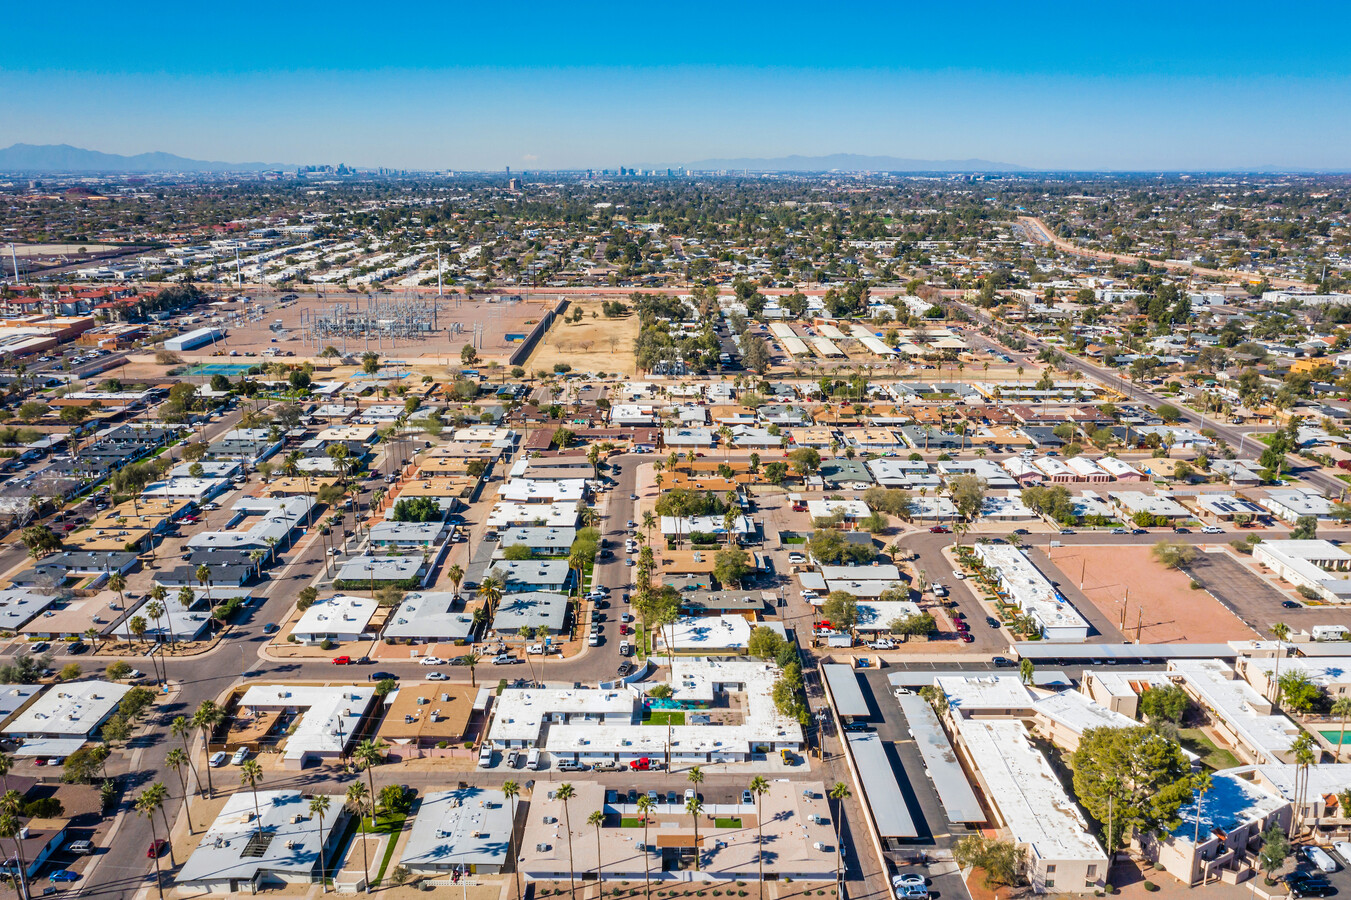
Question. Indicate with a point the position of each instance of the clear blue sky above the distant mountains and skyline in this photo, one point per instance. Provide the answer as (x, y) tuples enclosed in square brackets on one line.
[(1056, 86)]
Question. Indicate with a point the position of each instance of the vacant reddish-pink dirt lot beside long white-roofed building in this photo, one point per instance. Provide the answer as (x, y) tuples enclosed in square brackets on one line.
[(1172, 610)]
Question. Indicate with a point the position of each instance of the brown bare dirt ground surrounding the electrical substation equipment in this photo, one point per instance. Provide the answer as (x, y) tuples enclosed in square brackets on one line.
[(456, 321)]
